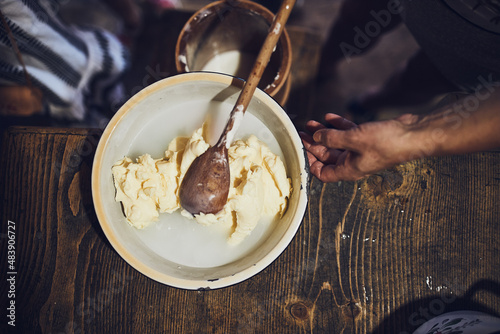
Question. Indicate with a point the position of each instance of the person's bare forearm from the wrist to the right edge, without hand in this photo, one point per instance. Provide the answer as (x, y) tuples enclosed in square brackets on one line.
[(472, 124)]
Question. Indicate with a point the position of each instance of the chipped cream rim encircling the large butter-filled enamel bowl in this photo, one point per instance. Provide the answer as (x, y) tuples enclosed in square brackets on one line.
[(209, 280)]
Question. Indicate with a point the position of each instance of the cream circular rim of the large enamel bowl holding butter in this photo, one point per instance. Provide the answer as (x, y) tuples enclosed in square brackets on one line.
[(195, 284)]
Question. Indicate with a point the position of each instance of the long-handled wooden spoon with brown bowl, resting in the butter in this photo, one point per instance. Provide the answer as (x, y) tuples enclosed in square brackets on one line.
[(205, 186)]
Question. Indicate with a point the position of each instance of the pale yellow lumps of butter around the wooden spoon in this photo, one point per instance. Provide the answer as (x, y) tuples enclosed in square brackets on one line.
[(259, 185)]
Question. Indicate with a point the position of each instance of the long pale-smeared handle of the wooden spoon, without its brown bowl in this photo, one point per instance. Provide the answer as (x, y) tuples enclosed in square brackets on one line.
[(258, 68)]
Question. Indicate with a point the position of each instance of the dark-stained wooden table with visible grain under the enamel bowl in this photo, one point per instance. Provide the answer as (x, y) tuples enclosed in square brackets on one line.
[(380, 255)]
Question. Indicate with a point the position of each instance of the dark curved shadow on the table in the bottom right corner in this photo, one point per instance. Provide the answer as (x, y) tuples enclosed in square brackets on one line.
[(412, 315)]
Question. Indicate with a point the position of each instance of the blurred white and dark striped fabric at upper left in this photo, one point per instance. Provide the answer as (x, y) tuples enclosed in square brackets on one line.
[(76, 68)]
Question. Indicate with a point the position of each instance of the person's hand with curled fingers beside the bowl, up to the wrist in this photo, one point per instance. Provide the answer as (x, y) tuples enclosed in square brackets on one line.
[(350, 152)]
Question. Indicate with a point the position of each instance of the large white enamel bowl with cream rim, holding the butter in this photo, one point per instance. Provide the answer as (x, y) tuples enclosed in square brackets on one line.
[(177, 251)]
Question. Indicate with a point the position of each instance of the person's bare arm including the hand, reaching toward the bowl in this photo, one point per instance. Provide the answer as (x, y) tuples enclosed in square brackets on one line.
[(351, 152)]
